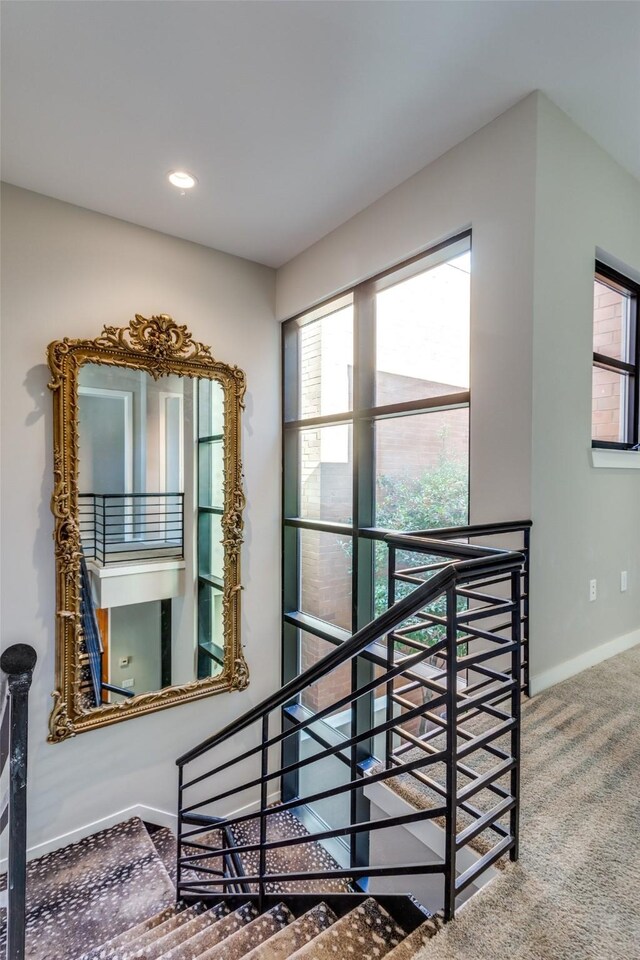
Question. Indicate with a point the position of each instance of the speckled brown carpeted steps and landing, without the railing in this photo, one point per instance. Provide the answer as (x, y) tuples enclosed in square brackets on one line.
[(120, 881)]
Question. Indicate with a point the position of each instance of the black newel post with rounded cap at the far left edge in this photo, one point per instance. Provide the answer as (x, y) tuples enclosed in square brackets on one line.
[(17, 662)]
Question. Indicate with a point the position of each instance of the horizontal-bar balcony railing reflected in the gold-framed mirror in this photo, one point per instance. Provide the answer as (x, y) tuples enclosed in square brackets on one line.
[(123, 527)]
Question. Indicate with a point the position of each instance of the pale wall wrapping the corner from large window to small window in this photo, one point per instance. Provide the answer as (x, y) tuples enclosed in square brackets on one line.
[(539, 196)]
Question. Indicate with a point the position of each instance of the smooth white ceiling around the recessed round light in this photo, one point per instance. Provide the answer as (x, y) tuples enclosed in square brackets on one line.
[(293, 115)]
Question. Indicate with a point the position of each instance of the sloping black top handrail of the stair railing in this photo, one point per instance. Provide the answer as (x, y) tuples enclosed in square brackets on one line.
[(478, 562)]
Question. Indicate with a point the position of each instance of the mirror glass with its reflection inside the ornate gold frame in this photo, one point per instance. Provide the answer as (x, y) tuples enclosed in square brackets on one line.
[(150, 501)]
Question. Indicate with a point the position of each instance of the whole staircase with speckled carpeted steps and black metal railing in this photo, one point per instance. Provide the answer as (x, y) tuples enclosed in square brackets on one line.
[(255, 872)]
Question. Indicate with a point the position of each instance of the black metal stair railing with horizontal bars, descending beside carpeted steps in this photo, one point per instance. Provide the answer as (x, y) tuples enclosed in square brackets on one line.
[(460, 720)]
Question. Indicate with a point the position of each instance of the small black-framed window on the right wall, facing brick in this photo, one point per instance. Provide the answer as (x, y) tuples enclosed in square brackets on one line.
[(615, 400)]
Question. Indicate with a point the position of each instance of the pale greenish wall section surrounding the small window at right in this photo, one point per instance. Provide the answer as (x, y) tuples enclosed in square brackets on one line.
[(587, 520)]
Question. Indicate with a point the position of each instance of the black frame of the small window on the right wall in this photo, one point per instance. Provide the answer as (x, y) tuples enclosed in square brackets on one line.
[(622, 284)]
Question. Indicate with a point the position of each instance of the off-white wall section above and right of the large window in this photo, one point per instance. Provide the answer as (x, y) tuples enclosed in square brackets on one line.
[(487, 182)]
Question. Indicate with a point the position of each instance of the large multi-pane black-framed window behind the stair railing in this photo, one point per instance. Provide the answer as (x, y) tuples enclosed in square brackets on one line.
[(376, 438)]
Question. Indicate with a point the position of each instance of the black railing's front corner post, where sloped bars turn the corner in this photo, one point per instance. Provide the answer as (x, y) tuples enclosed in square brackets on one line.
[(451, 755)]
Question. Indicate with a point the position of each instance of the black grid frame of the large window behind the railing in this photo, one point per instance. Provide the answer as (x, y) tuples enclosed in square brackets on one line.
[(361, 530)]
